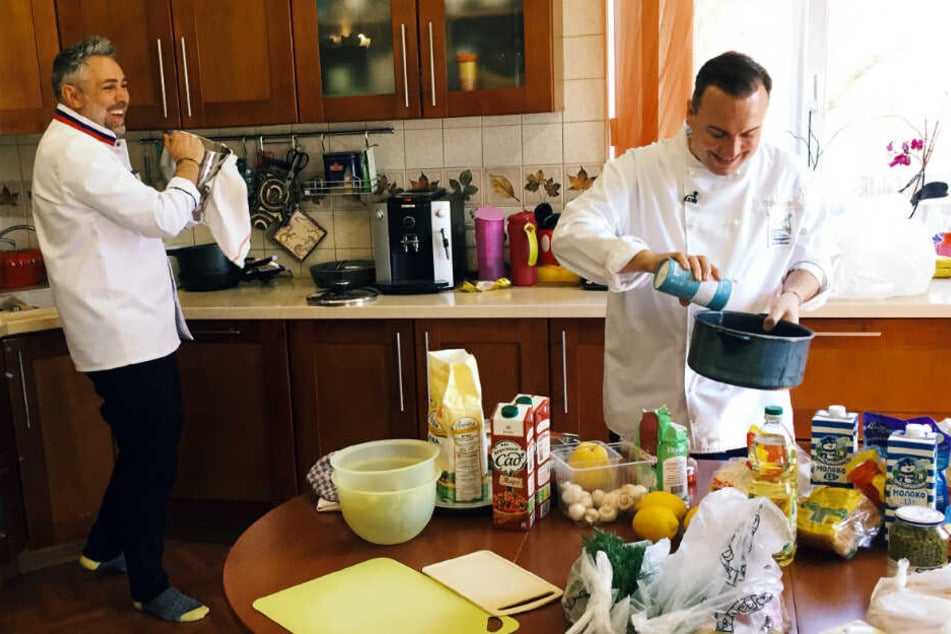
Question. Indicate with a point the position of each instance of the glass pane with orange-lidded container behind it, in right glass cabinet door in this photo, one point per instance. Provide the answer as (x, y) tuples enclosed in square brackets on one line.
[(485, 44)]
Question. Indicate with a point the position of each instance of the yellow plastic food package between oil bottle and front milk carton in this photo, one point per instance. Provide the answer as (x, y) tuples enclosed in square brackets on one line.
[(838, 520)]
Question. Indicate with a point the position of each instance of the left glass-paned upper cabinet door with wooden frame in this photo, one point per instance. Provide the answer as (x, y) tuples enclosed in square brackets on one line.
[(356, 62)]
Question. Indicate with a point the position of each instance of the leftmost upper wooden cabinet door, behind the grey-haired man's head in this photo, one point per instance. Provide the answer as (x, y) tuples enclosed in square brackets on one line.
[(27, 47)]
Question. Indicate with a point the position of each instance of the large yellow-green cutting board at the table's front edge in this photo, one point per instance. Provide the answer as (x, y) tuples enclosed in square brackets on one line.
[(377, 595)]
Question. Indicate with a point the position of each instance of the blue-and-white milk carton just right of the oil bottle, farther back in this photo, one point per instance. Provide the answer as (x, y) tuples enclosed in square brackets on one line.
[(834, 442)]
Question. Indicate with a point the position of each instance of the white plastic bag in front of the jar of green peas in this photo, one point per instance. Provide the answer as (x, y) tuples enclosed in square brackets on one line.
[(917, 603)]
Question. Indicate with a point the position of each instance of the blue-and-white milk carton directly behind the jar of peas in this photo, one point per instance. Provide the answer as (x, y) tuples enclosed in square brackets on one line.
[(911, 463)]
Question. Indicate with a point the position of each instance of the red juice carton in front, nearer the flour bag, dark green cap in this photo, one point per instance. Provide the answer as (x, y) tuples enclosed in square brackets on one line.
[(513, 467)]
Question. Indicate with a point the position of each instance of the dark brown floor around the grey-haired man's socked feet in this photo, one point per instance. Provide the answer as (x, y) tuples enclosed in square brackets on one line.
[(67, 599)]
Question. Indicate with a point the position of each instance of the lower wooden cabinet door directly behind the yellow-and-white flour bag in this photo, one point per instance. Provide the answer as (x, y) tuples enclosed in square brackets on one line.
[(512, 355)]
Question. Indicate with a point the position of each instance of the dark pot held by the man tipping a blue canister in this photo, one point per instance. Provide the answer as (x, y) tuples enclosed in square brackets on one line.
[(733, 348)]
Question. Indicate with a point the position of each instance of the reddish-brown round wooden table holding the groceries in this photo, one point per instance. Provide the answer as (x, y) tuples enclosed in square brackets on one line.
[(294, 543)]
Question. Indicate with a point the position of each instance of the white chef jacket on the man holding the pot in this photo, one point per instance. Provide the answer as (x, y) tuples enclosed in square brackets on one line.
[(755, 225)]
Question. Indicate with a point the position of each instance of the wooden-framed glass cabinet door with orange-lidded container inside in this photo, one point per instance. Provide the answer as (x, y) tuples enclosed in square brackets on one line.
[(489, 57)]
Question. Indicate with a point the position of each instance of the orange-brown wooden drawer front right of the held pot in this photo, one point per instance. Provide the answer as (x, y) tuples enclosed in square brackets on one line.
[(889, 366)]
